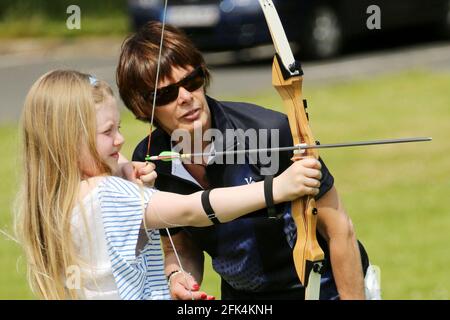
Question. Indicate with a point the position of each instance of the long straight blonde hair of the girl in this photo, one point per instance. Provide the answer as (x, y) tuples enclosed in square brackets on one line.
[(58, 117)]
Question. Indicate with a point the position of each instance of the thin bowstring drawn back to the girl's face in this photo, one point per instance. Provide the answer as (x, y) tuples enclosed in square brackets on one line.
[(150, 135)]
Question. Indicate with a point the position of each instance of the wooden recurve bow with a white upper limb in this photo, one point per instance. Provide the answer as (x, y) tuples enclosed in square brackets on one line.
[(287, 78)]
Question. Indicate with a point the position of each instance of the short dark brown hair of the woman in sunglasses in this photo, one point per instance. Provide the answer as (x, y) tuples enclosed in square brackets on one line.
[(138, 62)]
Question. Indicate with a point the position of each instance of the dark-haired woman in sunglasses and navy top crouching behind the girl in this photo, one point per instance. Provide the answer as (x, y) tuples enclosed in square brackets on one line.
[(253, 255)]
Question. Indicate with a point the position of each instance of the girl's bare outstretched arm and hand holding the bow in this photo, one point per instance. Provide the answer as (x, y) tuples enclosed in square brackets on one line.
[(170, 210)]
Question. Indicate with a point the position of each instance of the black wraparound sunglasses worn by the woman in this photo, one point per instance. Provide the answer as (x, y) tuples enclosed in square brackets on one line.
[(191, 82)]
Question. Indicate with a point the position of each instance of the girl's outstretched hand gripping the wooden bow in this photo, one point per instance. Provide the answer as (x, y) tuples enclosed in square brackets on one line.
[(302, 178)]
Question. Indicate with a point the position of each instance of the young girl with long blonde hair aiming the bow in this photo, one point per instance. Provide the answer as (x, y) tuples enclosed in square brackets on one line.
[(81, 226)]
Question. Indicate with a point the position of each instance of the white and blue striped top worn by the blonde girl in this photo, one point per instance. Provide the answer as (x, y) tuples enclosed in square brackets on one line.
[(113, 213)]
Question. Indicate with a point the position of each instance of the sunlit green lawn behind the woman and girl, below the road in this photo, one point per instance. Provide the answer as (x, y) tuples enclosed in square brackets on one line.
[(397, 196)]
